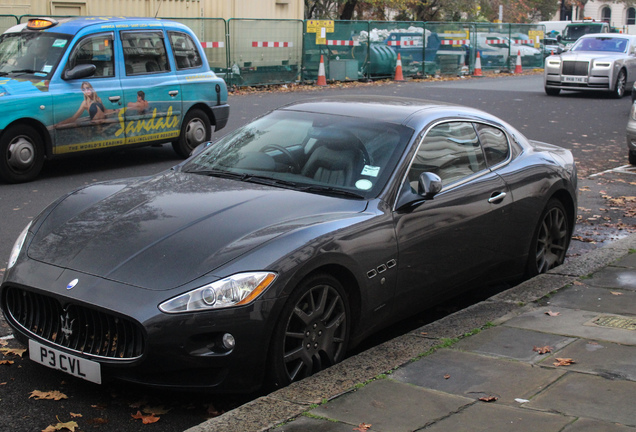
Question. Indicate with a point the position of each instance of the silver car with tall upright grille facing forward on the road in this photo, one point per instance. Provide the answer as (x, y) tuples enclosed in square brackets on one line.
[(602, 61)]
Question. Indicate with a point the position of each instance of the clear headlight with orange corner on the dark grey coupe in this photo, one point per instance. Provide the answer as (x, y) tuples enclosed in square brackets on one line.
[(235, 290)]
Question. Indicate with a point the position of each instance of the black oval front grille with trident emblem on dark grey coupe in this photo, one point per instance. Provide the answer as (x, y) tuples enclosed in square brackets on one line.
[(75, 327)]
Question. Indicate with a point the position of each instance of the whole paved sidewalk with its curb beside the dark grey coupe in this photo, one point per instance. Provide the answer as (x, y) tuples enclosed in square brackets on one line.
[(451, 376)]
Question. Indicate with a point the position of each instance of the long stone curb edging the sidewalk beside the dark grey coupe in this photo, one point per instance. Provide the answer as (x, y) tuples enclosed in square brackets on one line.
[(288, 403)]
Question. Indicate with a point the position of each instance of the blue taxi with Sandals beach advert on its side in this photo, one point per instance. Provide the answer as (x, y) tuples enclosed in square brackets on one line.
[(85, 84)]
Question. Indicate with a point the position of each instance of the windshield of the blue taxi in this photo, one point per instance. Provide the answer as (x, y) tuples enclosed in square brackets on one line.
[(31, 53)]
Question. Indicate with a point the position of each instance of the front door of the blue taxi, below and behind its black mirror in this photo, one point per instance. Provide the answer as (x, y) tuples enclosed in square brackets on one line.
[(86, 110)]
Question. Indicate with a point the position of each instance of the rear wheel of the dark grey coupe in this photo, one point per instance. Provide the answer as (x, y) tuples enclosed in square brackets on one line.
[(550, 240)]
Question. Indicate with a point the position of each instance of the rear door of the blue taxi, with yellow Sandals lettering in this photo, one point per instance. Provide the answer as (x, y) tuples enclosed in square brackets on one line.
[(152, 93)]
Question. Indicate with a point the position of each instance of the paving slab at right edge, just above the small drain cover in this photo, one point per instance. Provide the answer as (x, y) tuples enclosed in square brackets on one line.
[(594, 299)]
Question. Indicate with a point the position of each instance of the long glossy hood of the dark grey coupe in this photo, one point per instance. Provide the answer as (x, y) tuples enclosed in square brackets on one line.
[(168, 230)]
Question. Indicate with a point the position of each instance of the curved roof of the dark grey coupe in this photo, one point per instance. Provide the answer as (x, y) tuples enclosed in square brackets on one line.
[(407, 111)]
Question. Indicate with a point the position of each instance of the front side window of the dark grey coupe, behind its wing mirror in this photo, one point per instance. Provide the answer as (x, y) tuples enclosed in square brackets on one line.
[(450, 150)]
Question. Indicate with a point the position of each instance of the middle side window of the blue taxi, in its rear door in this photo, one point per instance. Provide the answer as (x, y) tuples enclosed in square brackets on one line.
[(144, 52)]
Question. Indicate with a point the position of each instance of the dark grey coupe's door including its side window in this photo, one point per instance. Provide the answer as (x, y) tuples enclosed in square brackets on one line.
[(457, 236)]
